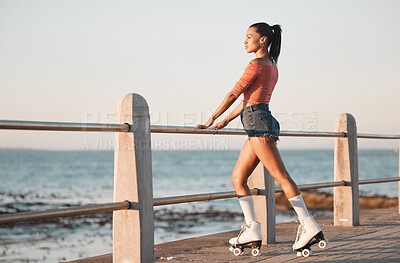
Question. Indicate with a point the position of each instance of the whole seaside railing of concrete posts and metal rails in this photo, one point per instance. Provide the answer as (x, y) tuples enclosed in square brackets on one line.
[(135, 107)]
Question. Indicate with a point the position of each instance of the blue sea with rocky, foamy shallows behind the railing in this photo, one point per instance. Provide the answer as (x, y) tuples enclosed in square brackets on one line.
[(39, 180)]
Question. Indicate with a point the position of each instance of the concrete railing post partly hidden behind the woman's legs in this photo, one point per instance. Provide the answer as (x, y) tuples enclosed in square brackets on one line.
[(264, 203)]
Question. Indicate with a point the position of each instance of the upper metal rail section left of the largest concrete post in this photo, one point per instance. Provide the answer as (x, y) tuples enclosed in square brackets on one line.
[(63, 126)]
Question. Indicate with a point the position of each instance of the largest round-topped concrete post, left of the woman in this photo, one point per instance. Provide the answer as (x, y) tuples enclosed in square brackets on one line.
[(133, 229)]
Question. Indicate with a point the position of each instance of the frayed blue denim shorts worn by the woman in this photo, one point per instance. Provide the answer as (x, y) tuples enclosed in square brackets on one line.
[(258, 121)]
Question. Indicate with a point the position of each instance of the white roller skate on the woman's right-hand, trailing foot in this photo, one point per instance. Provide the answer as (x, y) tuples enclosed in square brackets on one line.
[(308, 234)]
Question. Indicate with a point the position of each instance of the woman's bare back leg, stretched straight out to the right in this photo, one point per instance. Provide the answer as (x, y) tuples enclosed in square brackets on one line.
[(267, 152)]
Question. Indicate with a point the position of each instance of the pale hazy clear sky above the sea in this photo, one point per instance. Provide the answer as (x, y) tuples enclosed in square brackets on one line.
[(72, 61)]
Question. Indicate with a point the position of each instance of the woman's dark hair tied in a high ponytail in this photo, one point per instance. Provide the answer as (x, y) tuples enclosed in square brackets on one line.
[(273, 34)]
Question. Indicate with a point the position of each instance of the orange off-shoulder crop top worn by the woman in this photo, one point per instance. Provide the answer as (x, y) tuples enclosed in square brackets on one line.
[(256, 84)]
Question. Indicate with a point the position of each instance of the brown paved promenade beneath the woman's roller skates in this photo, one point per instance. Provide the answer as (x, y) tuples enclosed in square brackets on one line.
[(377, 239)]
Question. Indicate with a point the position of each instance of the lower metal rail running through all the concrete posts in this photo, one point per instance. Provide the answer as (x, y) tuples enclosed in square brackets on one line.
[(104, 208)]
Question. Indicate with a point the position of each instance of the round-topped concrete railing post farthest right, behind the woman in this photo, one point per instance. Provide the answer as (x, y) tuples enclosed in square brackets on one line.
[(345, 198)]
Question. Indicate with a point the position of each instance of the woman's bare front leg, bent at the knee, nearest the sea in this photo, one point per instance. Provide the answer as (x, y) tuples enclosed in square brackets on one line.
[(245, 165)]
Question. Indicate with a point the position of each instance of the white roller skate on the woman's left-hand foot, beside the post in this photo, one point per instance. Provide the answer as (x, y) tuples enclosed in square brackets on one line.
[(250, 236)]
